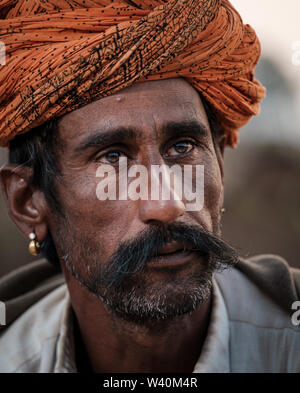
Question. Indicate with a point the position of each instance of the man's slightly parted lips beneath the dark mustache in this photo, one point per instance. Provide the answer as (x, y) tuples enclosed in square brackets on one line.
[(172, 254)]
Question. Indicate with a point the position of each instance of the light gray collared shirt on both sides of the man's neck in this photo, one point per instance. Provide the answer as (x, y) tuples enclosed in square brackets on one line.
[(248, 332)]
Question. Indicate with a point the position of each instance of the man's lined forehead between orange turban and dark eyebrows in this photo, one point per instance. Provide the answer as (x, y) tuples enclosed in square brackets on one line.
[(145, 106)]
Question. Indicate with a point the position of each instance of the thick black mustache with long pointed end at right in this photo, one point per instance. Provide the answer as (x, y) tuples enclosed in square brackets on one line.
[(132, 256)]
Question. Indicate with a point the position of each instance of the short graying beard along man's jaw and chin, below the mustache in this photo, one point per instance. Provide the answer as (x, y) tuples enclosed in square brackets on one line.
[(139, 298)]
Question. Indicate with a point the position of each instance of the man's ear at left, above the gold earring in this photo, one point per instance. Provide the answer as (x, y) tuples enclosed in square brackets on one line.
[(26, 204)]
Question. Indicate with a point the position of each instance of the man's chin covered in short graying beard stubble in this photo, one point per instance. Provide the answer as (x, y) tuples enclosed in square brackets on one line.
[(143, 304)]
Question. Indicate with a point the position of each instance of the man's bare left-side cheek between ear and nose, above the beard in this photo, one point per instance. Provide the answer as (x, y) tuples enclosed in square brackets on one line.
[(103, 223)]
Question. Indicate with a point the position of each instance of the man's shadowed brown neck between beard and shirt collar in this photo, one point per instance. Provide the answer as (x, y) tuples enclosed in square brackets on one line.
[(111, 344)]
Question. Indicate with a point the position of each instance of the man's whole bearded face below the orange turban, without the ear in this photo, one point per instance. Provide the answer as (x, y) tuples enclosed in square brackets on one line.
[(155, 259)]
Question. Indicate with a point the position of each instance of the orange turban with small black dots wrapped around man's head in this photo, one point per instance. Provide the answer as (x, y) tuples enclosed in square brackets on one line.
[(64, 54)]
